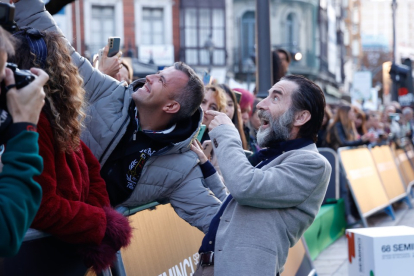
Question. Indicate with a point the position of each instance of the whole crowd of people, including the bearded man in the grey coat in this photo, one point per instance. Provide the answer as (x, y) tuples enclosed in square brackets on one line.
[(97, 140)]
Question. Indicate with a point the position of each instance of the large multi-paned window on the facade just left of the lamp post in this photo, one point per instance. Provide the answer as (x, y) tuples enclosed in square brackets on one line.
[(202, 23)]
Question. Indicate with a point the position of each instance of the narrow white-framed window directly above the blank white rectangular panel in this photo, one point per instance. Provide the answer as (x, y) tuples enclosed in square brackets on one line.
[(152, 26)]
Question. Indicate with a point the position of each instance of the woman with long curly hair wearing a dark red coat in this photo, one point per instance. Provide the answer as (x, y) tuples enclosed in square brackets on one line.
[(75, 206)]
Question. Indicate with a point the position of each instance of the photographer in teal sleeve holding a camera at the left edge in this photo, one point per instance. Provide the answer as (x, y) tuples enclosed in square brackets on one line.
[(20, 195)]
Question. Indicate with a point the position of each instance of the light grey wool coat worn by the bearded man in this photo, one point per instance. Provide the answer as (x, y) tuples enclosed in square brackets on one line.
[(271, 206)]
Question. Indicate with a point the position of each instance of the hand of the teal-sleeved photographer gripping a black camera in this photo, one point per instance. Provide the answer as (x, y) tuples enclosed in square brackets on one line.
[(26, 103)]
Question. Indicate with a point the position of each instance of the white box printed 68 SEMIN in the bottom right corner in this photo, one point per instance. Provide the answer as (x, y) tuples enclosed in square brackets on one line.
[(380, 251)]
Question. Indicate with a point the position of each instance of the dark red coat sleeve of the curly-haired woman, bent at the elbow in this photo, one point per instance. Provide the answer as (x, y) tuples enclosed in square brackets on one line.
[(72, 221)]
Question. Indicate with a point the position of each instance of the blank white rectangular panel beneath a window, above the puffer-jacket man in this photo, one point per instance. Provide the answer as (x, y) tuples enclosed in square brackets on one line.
[(161, 55)]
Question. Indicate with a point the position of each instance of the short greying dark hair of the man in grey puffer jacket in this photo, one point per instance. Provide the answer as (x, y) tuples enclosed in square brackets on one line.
[(191, 96)]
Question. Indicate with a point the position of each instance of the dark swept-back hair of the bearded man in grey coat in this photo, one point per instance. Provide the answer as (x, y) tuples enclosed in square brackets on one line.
[(308, 96)]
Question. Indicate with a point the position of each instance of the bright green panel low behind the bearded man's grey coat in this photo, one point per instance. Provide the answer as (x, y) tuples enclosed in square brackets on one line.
[(329, 225)]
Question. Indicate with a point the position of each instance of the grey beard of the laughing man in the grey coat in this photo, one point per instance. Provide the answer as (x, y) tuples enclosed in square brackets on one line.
[(278, 130)]
